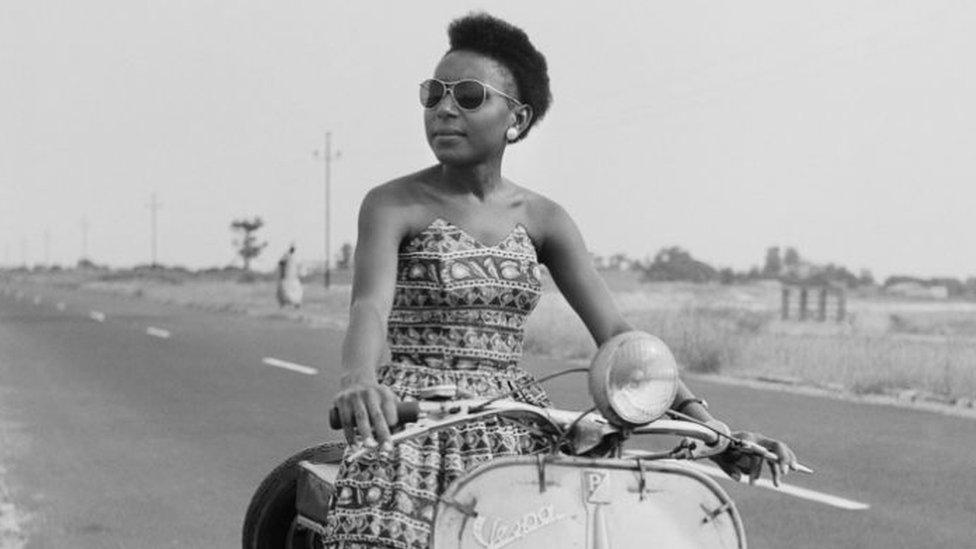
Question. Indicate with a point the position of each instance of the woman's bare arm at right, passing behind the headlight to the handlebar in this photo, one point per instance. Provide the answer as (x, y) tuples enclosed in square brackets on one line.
[(564, 253)]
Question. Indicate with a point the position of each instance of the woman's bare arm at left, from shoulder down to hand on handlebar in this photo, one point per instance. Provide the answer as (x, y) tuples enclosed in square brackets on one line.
[(365, 406)]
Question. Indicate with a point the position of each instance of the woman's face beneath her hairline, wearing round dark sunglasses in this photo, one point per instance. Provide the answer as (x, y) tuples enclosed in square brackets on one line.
[(459, 137)]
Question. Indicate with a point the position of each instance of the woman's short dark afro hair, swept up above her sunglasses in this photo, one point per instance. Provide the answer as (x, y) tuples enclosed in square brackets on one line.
[(508, 45)]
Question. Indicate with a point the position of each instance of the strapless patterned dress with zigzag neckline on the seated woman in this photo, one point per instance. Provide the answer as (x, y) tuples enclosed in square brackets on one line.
[(457, 318)]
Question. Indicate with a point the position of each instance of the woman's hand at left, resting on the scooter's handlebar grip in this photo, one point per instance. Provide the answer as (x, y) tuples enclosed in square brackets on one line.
[(367, 409)]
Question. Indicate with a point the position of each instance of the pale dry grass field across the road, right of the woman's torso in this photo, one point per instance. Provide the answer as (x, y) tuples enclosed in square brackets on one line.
[(736, 331)]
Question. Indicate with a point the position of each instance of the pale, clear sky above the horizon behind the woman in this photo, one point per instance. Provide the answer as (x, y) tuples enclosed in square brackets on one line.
[(843, 128)]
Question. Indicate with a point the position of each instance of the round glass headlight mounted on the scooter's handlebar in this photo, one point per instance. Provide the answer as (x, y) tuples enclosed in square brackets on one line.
[(633, 378)]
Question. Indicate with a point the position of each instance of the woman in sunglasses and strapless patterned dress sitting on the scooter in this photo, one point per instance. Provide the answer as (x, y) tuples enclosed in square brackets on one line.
[(447, 270)]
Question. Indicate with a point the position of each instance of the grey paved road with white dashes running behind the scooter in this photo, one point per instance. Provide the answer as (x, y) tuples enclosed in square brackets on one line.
[(131, 439)]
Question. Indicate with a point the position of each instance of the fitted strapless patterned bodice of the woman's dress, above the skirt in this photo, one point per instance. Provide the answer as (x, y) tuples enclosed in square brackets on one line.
[(461, 306)]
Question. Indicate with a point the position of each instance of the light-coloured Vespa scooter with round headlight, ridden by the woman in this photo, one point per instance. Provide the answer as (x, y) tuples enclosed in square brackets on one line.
[(587, 492)]
